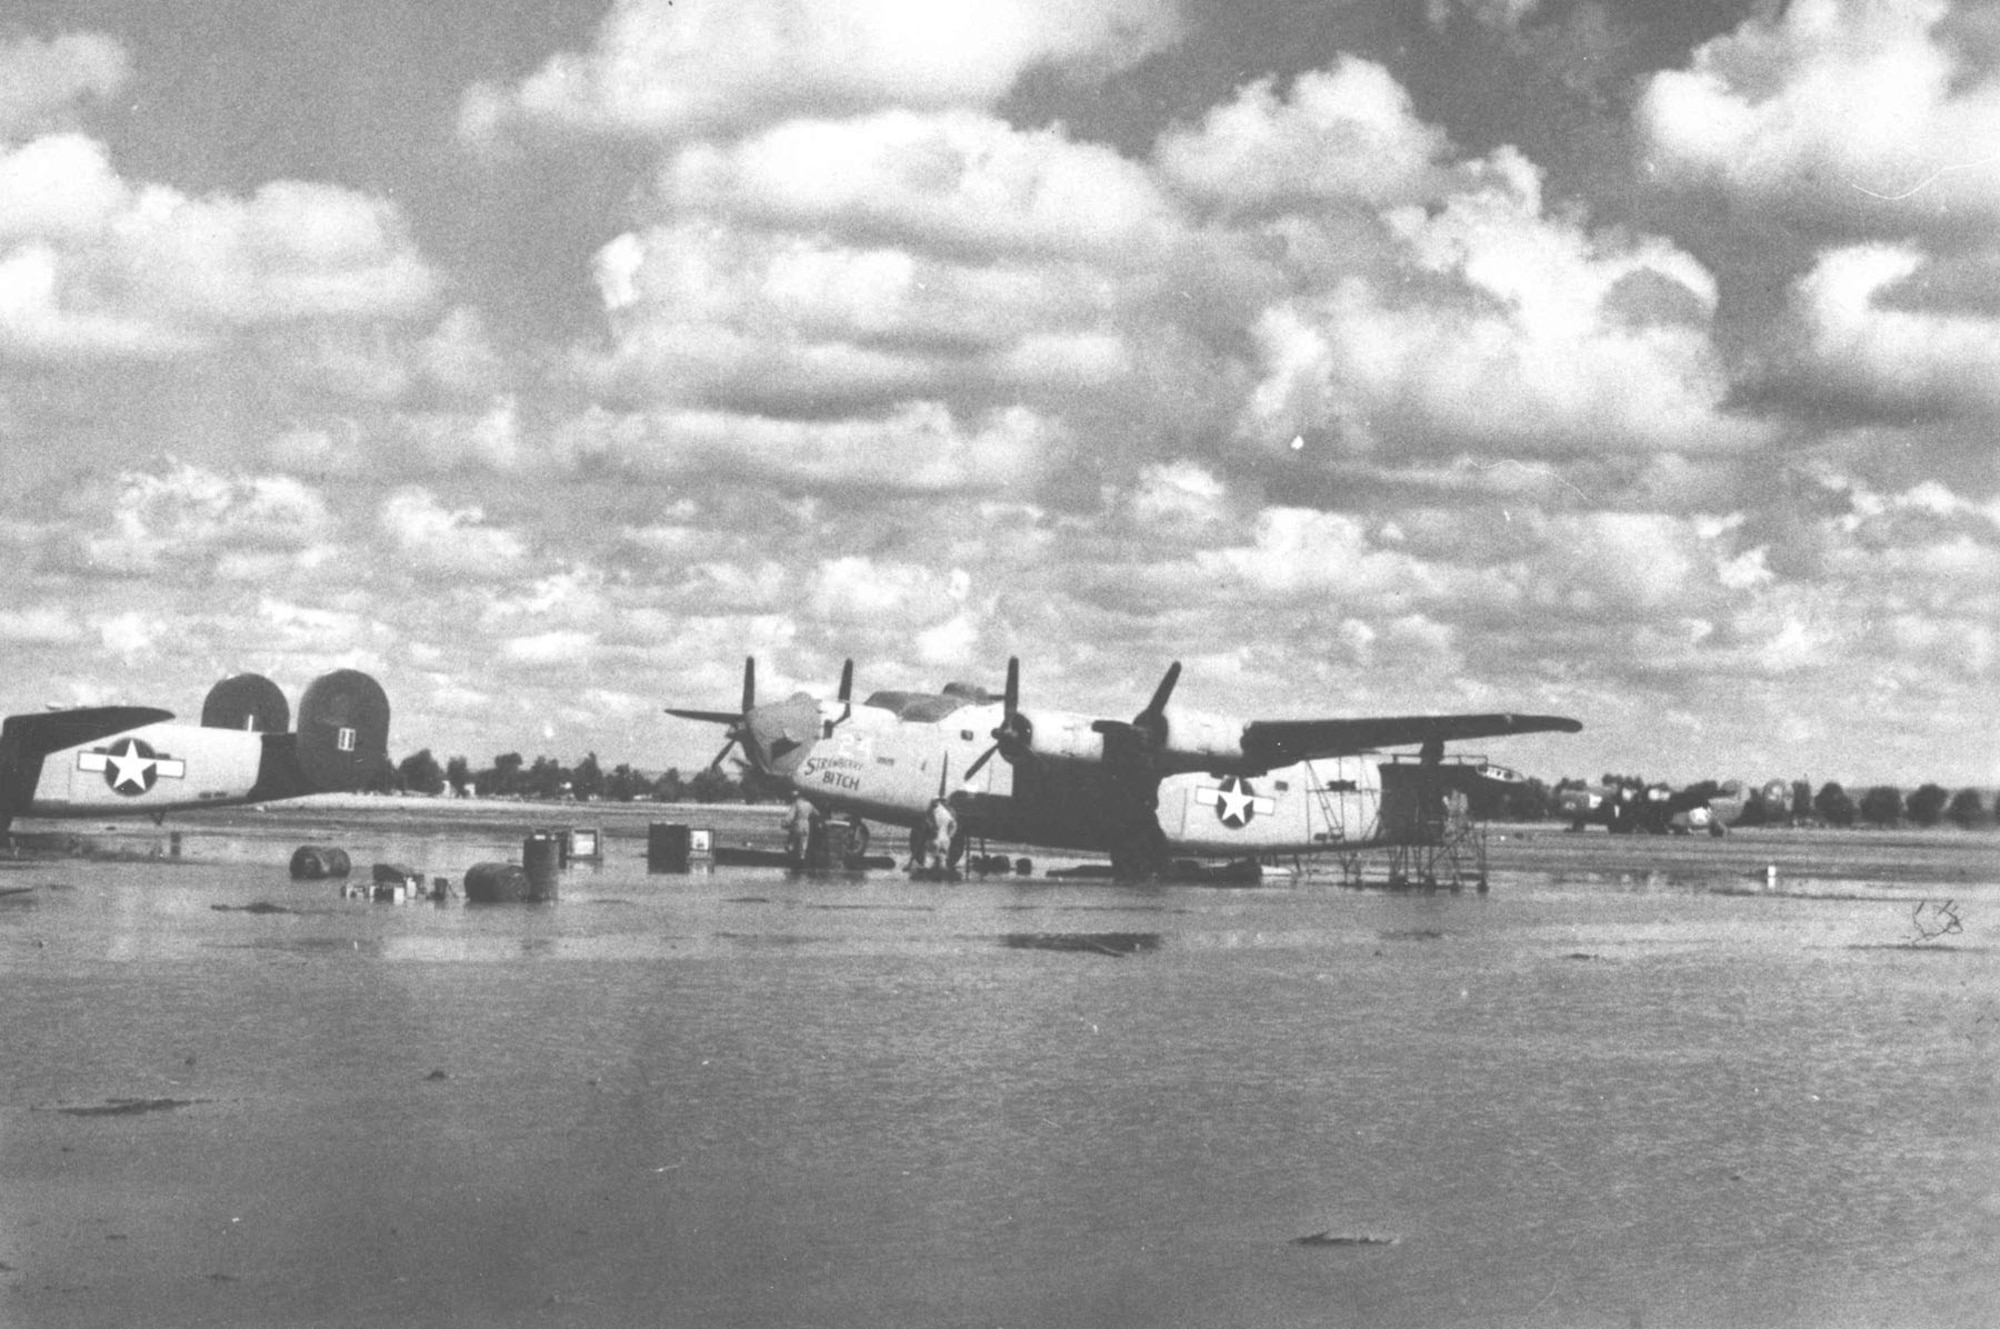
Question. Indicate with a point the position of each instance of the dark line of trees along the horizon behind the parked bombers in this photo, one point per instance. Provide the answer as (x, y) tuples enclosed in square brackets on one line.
[(547, 780)]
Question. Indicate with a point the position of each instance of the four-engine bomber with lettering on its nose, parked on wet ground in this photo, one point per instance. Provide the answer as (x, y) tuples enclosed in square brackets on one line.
[(1165, 782)]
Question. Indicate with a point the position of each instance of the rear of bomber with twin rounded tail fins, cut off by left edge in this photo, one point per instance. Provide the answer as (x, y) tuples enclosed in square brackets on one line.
[(101, 762)]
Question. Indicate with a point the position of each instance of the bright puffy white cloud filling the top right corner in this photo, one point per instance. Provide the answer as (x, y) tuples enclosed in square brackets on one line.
[(1849, 115)]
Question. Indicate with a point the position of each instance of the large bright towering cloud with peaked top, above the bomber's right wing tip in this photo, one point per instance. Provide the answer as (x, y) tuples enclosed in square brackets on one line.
[(1521, 333)]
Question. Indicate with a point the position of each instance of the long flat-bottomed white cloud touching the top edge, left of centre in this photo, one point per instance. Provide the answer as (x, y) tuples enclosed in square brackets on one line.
[(687, 69)]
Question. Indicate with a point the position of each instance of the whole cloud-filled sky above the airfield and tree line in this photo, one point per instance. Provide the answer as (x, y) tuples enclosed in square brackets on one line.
[(545, 357)]
